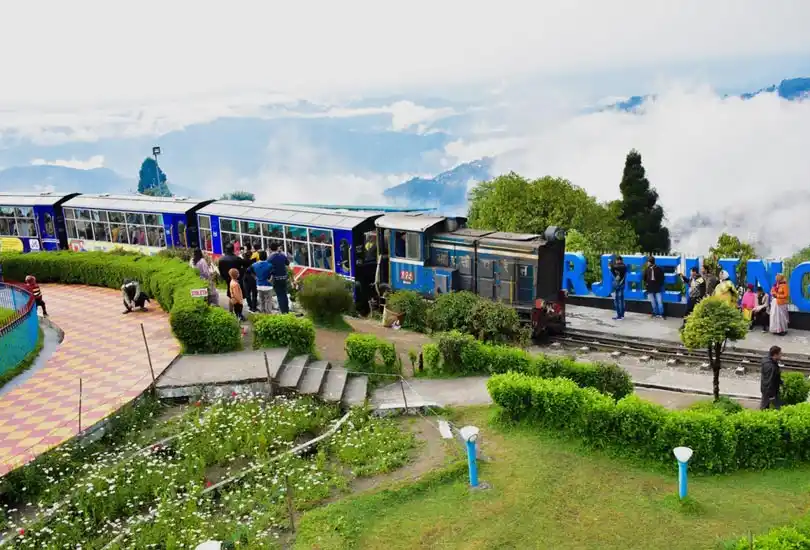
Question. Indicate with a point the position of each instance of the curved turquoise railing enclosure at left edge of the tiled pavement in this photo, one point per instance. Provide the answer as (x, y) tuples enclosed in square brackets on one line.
[(19, 326)]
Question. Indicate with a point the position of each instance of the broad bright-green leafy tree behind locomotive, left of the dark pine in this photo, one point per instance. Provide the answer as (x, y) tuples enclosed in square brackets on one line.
[(516, 204)]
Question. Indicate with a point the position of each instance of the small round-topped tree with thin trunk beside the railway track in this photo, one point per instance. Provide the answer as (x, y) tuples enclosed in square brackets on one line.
[(712, 323)]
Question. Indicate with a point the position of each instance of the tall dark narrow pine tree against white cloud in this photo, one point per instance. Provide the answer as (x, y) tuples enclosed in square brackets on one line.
[(640, 209)]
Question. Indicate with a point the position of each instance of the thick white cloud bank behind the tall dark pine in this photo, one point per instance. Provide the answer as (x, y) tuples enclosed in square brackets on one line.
[(742, 165)]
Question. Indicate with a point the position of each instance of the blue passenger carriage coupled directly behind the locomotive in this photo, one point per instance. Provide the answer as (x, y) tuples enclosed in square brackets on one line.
[(317, 239)]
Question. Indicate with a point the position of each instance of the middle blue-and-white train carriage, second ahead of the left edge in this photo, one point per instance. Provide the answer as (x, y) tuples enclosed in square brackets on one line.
[(132, 222)]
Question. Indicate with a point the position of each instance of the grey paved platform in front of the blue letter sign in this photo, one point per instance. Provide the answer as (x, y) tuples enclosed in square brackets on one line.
[(643, 326)]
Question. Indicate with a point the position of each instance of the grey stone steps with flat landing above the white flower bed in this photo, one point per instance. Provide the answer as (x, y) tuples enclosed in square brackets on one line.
[(213, 375)]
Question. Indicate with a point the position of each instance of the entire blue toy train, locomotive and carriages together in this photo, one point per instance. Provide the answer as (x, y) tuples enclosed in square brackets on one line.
[(375, 248)]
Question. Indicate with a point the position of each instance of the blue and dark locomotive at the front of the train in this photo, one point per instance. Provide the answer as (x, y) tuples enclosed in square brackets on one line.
[(433, 255)]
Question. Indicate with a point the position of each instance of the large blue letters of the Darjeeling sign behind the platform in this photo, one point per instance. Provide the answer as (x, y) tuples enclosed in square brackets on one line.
[(758, 272)]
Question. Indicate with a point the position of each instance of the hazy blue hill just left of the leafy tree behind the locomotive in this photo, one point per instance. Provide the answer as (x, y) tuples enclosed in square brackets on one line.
[(447, 190)]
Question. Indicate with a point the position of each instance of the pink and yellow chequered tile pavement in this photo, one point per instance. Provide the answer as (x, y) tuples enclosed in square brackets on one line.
[(104, 349)]
